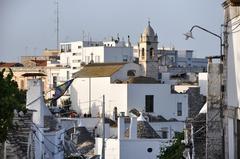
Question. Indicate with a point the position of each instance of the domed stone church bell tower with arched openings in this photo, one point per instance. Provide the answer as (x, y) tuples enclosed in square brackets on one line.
[(147, 49)]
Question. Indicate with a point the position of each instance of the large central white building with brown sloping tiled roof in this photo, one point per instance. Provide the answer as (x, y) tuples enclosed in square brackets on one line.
[(125, 90)]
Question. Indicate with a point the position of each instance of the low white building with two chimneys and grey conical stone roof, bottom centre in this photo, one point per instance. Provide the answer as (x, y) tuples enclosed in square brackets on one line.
[(142, 141)]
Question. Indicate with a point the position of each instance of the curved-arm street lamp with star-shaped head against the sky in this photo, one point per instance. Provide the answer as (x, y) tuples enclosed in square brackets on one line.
[(189, 35)]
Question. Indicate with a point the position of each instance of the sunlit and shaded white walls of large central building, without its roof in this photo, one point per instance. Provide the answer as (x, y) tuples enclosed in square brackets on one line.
[(125, 97)]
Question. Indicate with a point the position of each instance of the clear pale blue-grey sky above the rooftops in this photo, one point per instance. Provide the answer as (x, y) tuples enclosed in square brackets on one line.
[(27, 27)]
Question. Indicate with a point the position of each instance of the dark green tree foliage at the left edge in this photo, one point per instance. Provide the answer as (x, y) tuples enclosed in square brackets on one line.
[(11, 98)]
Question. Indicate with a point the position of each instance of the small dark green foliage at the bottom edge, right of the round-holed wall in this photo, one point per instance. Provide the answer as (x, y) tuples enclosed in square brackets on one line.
[(176, 150)]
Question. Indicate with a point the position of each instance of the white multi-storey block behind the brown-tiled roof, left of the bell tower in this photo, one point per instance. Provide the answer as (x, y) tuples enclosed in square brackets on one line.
[(78, 53)]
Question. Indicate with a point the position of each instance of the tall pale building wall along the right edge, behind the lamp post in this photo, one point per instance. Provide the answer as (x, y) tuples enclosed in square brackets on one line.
[(231, 65)]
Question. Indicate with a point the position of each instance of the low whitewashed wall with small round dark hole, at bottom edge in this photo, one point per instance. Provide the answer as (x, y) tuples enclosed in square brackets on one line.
[(130, 149)]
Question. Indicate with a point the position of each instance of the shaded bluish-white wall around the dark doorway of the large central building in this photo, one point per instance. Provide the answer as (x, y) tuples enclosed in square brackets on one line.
[(165, 103)]
